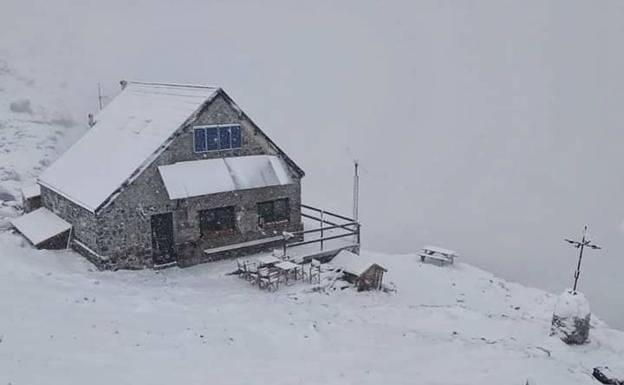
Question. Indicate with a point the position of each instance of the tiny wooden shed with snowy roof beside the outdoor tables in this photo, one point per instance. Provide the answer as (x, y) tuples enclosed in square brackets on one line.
[(360, 271)]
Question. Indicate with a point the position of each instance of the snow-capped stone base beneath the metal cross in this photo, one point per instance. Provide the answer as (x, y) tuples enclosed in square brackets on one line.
[(571, 318)]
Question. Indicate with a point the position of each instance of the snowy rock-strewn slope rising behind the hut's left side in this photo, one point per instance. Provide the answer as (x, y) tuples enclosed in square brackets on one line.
[(35, 125)]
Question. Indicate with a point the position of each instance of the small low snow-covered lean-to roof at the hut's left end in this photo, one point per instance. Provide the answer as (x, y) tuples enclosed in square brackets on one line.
[(40, 225)]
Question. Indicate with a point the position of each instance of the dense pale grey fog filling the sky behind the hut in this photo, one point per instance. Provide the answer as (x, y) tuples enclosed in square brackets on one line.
[(488, 127)]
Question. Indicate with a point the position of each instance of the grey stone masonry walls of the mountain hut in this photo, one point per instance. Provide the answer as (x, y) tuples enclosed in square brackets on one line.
[(119, 235)]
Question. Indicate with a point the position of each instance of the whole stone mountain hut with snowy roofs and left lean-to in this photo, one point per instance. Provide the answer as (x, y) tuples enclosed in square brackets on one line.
[(167, 174)]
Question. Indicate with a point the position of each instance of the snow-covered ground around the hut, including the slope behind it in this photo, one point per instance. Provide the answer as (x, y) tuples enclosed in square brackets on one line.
[(63, 322)]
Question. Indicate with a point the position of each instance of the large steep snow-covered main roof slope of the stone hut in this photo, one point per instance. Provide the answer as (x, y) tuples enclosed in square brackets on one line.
[(126, 135)]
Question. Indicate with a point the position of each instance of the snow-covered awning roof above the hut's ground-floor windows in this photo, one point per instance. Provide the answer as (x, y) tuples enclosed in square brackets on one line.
[(209, 176)]
